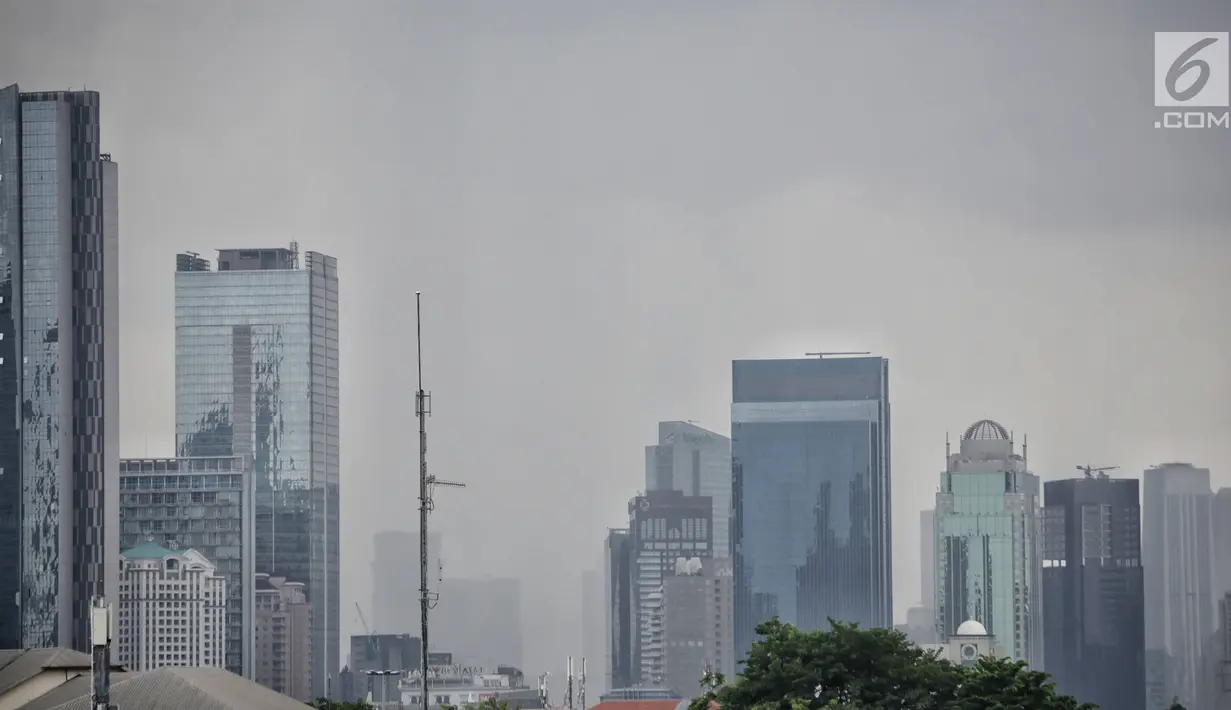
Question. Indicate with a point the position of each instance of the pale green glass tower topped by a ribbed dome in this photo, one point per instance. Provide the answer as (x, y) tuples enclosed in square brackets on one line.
[(989, 548)]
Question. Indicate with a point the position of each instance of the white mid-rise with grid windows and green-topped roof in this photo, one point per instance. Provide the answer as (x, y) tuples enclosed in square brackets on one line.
[(173, 610)]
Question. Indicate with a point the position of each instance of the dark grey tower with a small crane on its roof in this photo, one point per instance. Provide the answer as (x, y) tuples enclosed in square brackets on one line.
[(1094, 600)]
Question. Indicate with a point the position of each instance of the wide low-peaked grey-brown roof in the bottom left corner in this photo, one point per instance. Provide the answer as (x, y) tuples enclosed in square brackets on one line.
[(174, 687)]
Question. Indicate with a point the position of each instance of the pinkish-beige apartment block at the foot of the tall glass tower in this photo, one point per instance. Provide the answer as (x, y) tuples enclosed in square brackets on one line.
[(284, 638)]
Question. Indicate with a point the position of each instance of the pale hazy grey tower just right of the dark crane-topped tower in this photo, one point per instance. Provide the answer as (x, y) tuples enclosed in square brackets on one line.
[(1177, 557)]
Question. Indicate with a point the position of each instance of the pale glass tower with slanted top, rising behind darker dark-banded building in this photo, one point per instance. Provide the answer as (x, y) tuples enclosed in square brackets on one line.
[(697, 462)]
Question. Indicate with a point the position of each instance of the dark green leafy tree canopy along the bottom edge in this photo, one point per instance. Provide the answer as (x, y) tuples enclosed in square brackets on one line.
[(852, 669)]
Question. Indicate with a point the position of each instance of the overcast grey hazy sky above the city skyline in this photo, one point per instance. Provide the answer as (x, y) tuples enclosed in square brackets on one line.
[(607, 202)]
